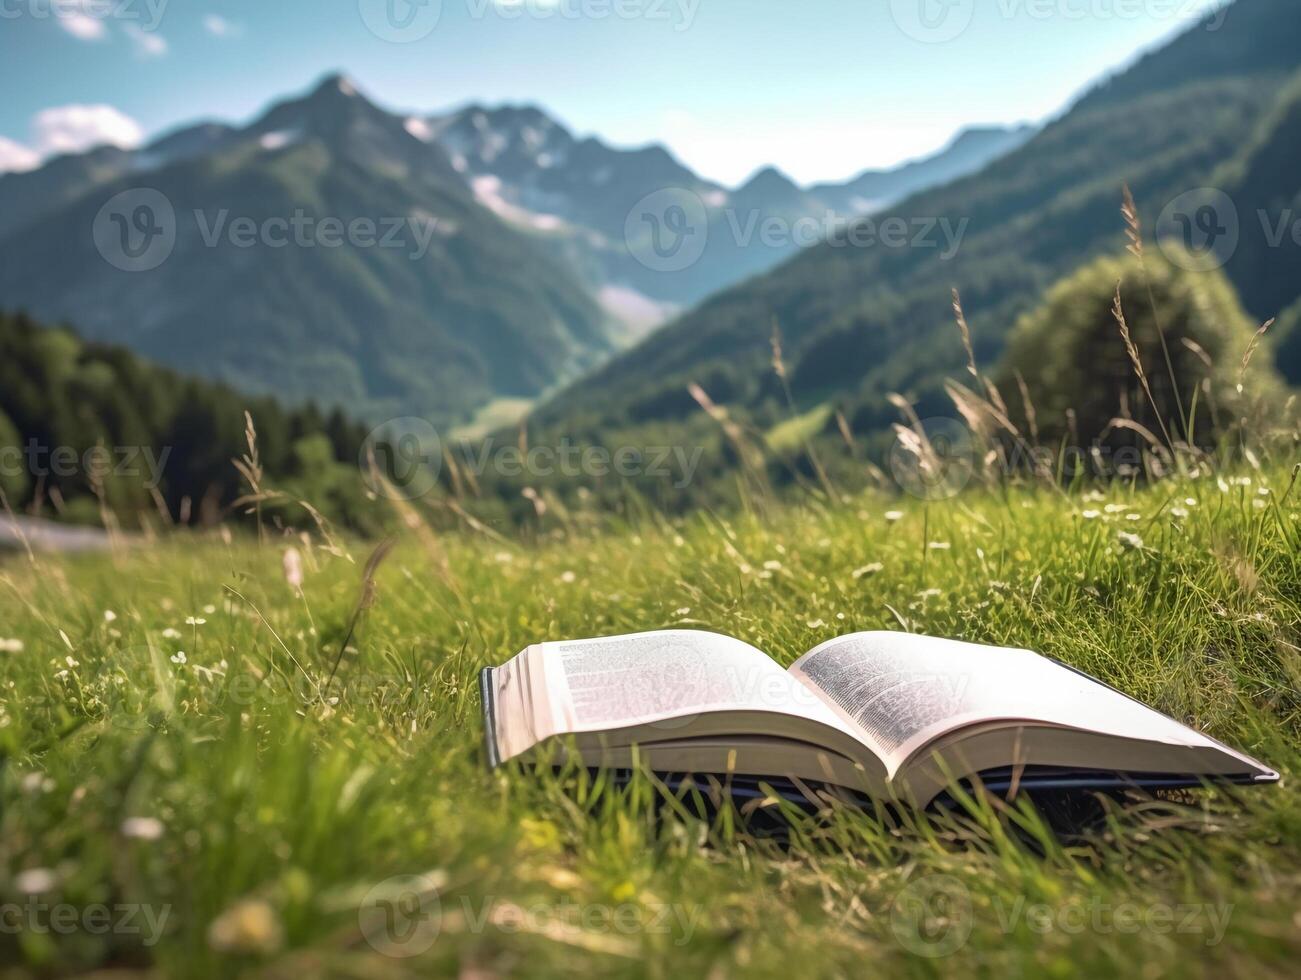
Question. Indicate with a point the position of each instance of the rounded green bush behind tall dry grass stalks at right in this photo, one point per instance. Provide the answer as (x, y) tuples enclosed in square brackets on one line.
[(1075, 360)]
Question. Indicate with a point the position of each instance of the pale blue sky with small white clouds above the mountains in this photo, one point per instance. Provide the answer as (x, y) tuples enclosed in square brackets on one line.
[(823, 89)]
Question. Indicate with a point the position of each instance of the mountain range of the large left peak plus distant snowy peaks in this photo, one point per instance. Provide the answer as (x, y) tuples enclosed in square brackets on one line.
[(543, 253)]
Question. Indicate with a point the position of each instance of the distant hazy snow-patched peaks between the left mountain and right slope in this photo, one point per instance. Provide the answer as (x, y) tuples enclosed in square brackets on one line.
[(585, 198)]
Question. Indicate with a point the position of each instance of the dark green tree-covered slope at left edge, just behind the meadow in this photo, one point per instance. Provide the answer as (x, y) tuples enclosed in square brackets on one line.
[(83, 421)]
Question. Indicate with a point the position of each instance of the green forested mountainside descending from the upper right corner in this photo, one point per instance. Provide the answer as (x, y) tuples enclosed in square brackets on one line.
[(862, 321)]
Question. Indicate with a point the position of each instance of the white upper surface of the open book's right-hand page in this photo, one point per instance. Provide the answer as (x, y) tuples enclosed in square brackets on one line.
[(904, 690)]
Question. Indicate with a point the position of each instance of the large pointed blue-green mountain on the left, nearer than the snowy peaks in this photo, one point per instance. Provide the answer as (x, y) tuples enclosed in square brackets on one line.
[(325, 252)]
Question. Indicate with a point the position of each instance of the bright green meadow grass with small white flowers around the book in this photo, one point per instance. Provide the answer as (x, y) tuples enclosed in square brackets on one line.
[(252, 809)]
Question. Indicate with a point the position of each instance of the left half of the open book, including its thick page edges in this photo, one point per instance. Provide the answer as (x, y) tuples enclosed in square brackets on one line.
[(663, 692)]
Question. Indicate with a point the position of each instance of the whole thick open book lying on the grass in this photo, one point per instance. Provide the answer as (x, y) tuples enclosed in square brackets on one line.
[(891, 715)]
